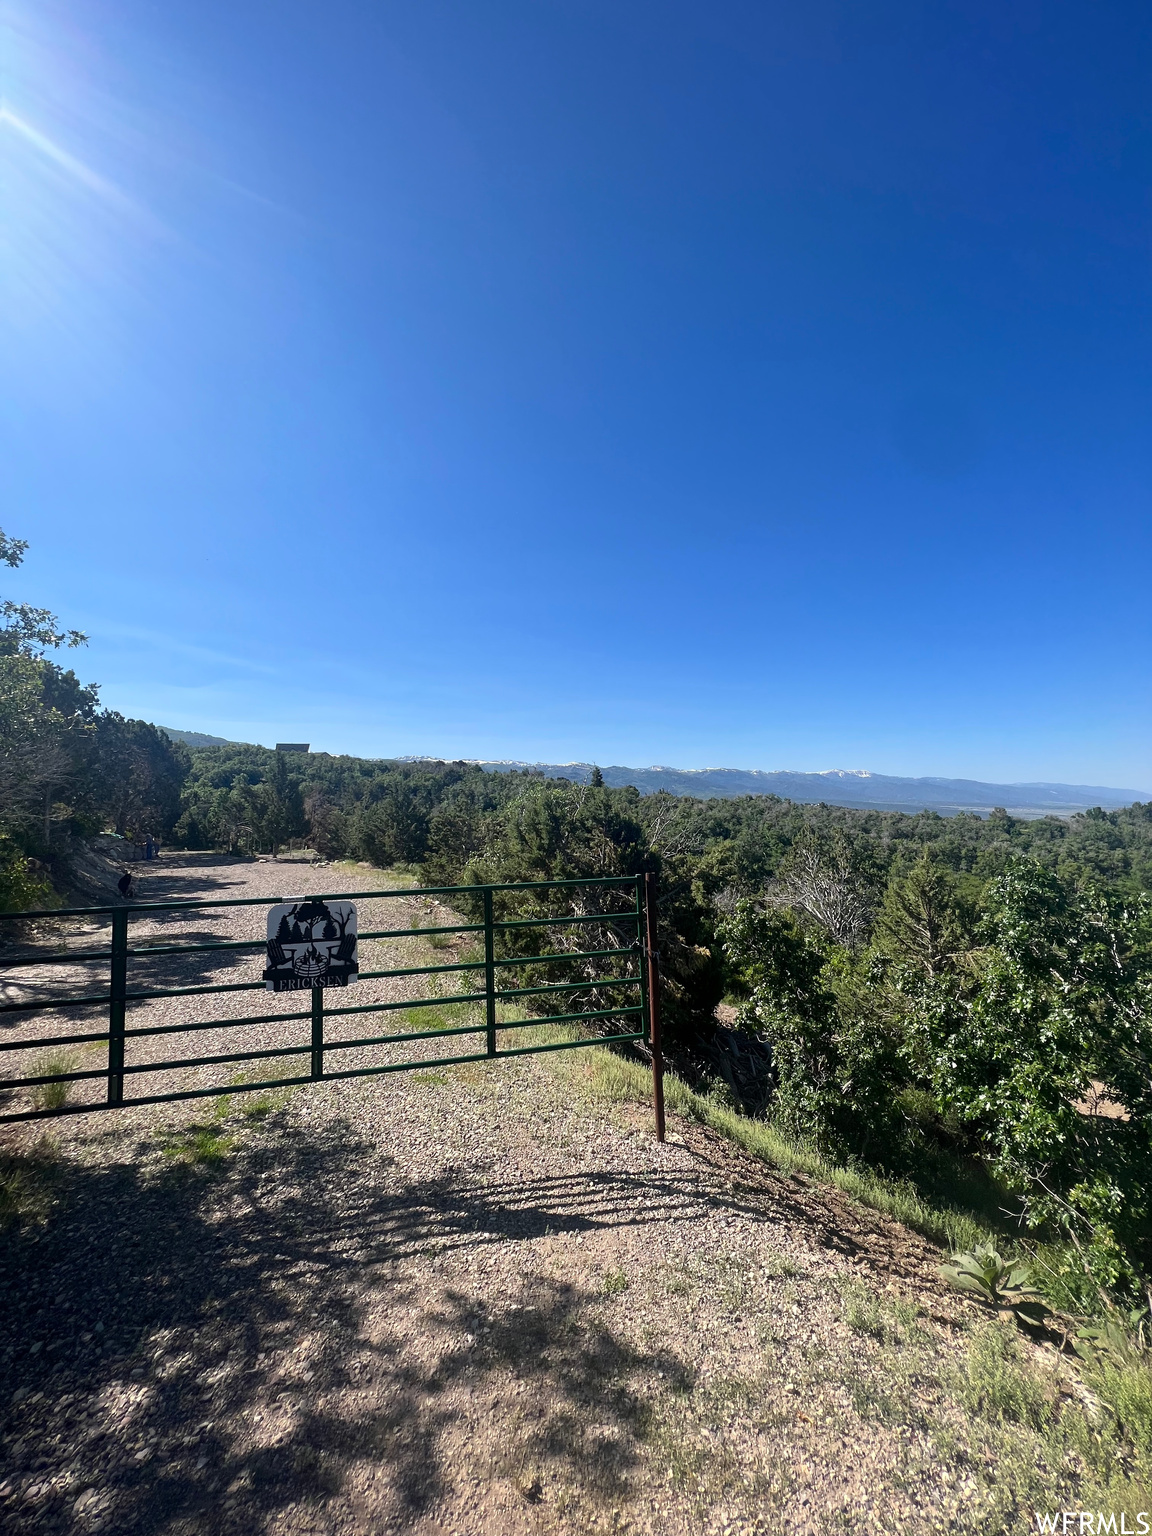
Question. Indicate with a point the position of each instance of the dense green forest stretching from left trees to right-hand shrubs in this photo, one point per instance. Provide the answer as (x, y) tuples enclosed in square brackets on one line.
[(916, 988)]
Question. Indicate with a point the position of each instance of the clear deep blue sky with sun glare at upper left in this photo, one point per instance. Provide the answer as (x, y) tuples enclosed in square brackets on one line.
[(755, 385)]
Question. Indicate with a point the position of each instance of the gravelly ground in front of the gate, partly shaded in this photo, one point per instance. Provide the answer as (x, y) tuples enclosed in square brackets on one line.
[(468, 1300)]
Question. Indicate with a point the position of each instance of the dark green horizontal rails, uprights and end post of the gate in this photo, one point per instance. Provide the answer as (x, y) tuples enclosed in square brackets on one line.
[(641, 1013)]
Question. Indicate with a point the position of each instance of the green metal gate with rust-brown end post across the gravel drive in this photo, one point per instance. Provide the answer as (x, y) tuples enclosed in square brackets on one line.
[(627, 944)]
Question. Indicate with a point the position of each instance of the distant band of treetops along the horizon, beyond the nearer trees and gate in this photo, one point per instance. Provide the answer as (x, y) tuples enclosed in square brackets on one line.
[(242, 798)]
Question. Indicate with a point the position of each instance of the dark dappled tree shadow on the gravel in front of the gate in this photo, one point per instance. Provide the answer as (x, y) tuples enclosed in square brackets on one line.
[(190, 1351)]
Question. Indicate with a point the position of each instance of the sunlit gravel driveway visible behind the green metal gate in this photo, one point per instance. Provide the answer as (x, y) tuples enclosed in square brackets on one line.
[(219, 878)]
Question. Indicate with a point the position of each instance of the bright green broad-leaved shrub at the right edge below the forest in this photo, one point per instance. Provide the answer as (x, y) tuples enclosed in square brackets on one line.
[(1056, 1010)]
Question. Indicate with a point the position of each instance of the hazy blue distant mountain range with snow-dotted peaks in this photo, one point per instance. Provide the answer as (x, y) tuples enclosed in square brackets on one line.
[(856, 787)]
